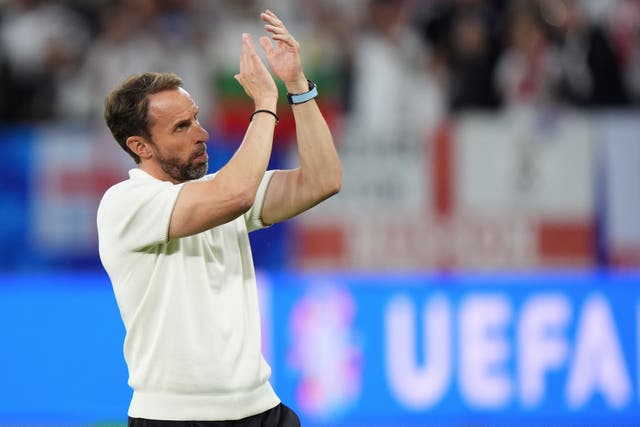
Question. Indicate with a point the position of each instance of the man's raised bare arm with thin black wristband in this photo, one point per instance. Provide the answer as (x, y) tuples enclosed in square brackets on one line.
[(202, 205)]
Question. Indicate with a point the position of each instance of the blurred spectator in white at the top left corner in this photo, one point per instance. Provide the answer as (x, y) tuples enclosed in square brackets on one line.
[(39, 40)]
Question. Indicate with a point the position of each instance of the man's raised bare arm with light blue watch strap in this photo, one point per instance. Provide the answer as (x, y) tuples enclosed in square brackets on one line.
[(319, 176)]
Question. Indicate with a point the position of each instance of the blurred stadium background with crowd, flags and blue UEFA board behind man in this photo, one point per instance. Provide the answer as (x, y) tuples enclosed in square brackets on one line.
[(479, 267)]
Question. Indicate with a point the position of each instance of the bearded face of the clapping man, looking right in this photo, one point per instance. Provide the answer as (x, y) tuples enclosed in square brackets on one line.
[(177, 139)]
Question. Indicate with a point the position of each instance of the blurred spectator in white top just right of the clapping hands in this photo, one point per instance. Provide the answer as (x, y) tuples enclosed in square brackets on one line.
[(392, 92)]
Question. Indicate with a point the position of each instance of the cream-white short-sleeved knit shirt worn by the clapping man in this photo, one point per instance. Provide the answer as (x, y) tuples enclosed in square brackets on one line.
[(189, 306)]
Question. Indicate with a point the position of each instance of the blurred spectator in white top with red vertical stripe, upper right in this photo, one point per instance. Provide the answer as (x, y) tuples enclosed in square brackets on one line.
[(527, 71)]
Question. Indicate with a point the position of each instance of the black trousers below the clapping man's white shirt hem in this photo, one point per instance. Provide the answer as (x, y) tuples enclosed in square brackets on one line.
[(280, 416)]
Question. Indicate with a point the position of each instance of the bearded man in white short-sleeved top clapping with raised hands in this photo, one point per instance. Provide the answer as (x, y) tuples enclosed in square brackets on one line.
[(175, 243)]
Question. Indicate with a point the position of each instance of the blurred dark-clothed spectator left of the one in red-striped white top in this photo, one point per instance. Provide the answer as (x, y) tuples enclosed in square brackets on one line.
[(466, 36)]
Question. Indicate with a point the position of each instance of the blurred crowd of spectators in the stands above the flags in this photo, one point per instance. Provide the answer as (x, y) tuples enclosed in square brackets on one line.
[(59, 58)]
